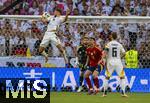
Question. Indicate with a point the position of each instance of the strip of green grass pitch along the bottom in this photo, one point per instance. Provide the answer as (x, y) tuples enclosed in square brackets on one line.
[(69, 97)]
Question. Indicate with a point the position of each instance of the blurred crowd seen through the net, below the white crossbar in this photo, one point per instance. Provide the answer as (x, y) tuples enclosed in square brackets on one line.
[(16, 36)]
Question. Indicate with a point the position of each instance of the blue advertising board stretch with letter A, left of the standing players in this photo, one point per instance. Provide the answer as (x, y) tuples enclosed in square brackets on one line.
[(59, 77)]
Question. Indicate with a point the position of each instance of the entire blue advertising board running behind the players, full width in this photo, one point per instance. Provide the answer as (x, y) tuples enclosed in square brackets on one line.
[(137, 79)]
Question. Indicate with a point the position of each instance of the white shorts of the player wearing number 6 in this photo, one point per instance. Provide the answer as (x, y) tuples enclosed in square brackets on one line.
[(114, 65)]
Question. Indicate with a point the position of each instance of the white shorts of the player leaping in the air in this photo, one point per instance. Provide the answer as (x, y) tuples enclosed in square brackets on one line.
[(50, 37)]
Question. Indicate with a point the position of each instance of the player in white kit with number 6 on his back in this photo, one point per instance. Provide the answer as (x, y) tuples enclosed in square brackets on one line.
[(114, 52)]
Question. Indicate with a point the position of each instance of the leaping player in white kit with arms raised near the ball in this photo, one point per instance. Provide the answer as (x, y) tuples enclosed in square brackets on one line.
[(50, 35)]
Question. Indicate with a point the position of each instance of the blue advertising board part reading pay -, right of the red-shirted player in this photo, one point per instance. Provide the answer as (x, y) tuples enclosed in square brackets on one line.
[(137, 79)]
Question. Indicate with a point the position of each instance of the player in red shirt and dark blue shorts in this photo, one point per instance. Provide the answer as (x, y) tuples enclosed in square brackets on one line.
[(94, 61)]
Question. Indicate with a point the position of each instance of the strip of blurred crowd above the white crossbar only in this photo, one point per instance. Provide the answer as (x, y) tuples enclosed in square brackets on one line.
[(80, 7)]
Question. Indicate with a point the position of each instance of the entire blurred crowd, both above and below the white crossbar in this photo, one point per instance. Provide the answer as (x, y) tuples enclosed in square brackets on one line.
[(17, 37)]
